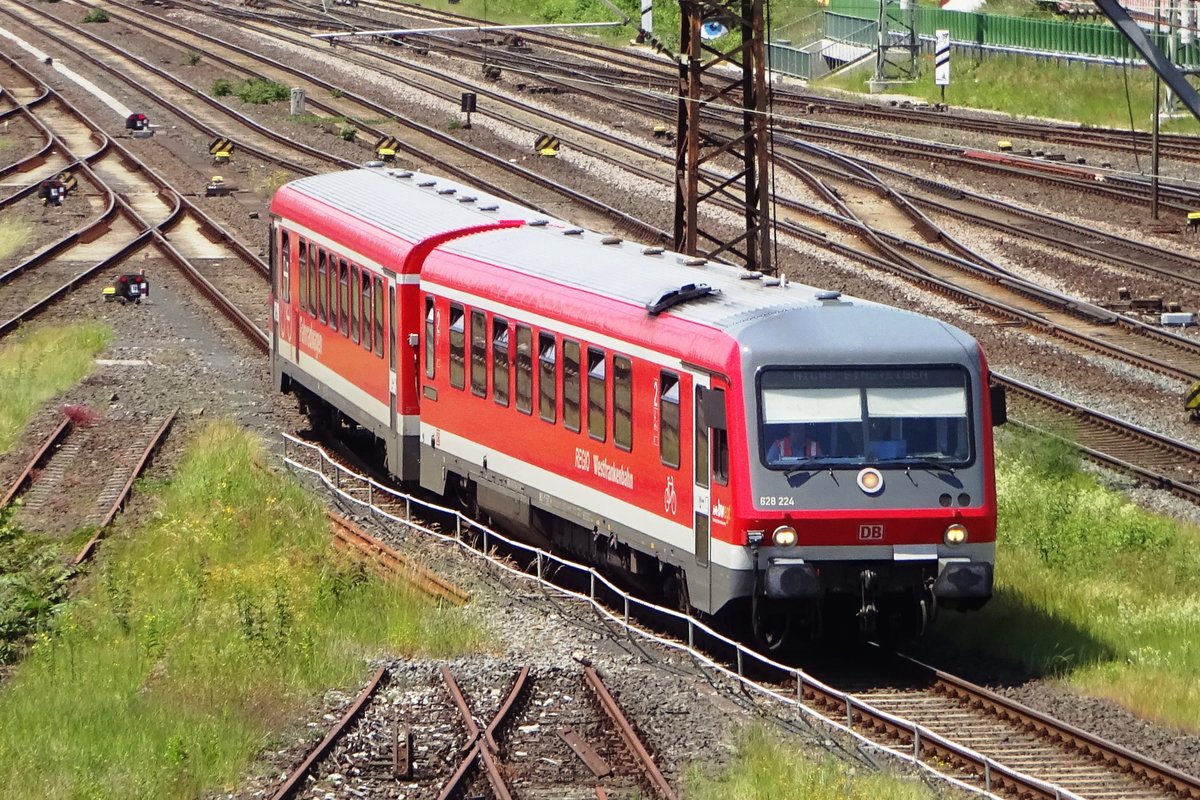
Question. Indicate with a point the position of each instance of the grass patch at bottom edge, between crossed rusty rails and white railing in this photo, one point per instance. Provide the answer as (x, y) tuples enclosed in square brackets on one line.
[(767, 771)]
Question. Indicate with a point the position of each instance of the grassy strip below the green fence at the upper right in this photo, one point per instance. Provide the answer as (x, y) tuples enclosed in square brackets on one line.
[(1090, 95)]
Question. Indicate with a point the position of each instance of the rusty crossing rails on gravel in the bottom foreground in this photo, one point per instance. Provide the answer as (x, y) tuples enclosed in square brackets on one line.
[(543, 738)]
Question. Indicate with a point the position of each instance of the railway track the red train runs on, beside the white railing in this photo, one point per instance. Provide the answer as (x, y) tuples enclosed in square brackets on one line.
[(949, 726)]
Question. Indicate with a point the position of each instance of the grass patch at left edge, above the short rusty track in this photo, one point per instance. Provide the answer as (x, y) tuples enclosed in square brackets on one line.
[(37, 365)]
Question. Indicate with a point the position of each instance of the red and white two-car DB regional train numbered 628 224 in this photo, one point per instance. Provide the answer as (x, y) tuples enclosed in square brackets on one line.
[(623, 404)]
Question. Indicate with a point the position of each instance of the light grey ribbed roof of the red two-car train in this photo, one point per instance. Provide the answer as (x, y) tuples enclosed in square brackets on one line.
[(417, 207)]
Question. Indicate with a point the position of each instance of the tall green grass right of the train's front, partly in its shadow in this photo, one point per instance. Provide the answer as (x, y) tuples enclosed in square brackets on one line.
[(1091, 590)]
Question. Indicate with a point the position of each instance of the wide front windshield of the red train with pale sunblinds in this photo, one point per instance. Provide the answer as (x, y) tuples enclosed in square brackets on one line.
[(826, 417)]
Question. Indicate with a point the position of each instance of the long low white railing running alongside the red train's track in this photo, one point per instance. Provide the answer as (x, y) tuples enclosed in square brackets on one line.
[(337, 478)]
